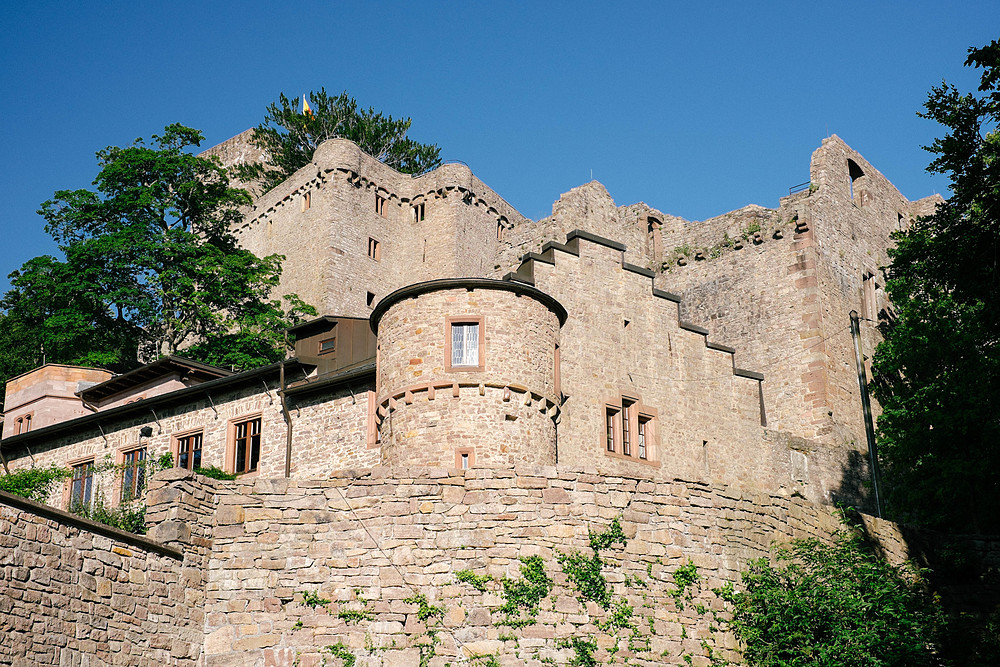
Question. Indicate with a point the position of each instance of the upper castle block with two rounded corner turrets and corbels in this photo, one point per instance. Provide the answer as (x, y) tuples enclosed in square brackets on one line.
[(444, 223)]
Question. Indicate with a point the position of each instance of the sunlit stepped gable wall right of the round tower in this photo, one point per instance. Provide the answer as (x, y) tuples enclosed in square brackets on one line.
[(624, 341)]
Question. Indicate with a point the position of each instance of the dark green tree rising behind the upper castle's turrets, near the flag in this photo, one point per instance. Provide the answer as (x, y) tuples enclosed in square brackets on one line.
[(289, 138)]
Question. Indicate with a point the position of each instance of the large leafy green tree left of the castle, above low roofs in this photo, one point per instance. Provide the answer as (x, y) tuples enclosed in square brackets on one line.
[(151, 264)]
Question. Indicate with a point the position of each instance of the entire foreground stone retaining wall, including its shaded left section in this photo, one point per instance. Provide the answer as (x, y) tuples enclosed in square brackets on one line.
[(272, 572)]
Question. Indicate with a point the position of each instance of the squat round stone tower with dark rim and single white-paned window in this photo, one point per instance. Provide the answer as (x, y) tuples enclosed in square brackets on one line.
[(467, 374)]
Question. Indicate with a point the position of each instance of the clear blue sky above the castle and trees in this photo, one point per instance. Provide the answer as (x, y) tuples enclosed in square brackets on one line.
[(696, 108)]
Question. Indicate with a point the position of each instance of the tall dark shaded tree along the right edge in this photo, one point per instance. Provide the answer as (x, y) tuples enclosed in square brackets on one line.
[(937, 373)]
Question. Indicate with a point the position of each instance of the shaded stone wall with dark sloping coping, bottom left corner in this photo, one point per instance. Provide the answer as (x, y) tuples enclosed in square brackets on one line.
[(79, 593)]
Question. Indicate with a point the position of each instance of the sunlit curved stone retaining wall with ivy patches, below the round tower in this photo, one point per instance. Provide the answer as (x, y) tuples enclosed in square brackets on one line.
[(367, 545)]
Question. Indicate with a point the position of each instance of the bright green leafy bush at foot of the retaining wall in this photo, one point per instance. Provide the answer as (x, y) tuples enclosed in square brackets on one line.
[(833, 605)]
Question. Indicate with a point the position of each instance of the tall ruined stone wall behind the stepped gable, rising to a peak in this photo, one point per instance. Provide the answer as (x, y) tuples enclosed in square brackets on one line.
[(779, 285)]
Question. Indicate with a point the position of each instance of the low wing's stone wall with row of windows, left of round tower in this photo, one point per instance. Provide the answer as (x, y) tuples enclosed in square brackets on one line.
[(329, 430)]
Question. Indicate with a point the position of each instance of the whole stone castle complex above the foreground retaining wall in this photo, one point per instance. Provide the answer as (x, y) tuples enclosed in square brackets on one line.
[(618, 342)]
